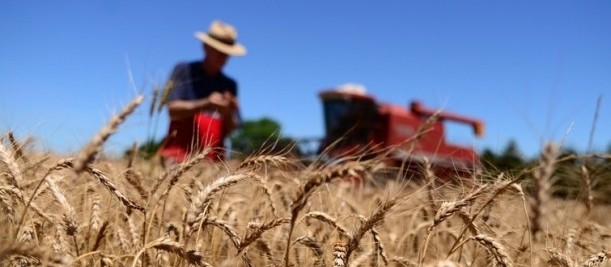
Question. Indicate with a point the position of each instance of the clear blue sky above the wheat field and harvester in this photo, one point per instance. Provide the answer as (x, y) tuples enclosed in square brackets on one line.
[(532, 70)]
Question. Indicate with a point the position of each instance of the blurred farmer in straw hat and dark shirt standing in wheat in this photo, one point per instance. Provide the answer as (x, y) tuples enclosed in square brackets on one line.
[(202, 103)]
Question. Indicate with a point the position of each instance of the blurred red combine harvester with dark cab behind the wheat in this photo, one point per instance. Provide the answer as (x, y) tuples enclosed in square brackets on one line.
[(355, 122)]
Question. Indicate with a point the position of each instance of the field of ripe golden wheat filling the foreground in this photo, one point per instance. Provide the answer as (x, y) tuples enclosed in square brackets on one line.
[(274, 210)]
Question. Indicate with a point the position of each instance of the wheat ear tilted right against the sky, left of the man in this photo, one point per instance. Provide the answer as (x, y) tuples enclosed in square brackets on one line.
[(88, 154)]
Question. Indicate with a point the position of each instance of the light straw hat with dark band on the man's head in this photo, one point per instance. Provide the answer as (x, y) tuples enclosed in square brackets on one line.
[(222, 37)]
